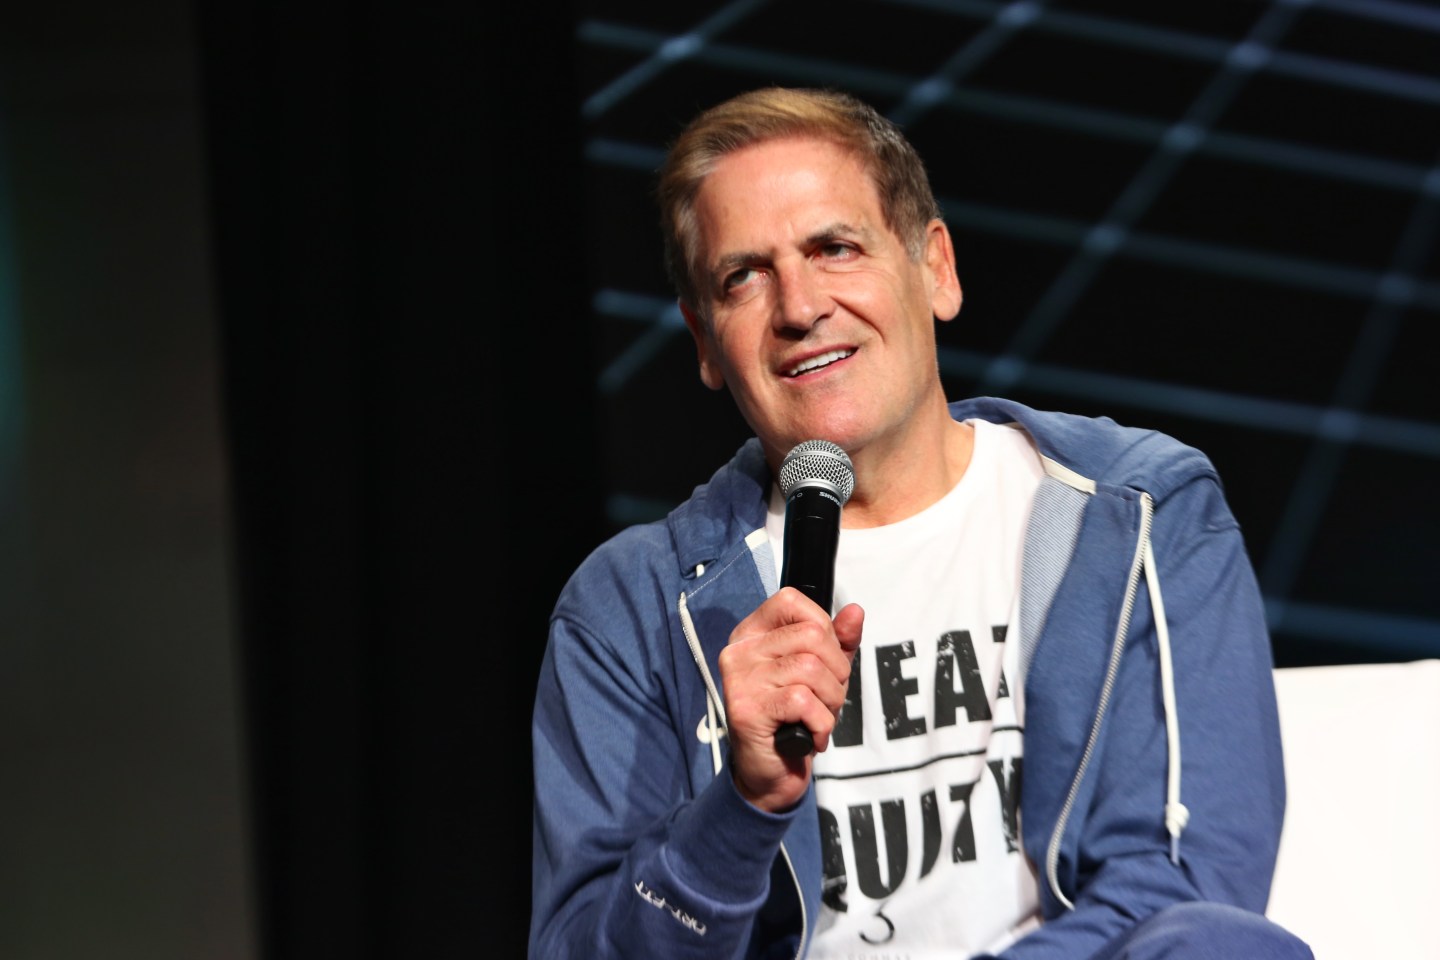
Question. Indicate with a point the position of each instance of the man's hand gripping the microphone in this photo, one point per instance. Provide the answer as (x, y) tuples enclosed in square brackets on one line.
[(787, 663)]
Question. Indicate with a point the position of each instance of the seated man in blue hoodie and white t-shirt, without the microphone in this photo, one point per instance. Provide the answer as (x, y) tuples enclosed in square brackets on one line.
[(1059, 738)]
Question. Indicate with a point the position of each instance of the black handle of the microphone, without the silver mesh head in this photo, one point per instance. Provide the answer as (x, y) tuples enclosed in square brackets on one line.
[(811, 540)]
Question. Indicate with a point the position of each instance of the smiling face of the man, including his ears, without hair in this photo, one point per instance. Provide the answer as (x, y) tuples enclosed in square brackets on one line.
[(819, 320)]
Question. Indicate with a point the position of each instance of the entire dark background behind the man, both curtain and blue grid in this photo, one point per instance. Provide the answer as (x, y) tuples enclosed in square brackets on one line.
[(333, 336)]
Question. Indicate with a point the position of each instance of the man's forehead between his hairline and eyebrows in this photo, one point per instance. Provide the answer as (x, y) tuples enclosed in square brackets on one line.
[(791, 184)]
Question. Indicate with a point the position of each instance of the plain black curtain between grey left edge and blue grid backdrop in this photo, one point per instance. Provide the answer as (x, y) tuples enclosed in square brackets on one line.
[(413, 441)]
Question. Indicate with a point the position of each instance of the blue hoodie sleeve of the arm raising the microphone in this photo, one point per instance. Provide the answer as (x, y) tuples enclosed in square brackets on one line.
[(630, 861)]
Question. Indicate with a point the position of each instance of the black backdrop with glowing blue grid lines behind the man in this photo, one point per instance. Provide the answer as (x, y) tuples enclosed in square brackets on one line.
[(1215, 218)]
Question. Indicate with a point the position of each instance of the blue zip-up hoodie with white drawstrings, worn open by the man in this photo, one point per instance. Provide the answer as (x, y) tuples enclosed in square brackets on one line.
[(1153, 775)]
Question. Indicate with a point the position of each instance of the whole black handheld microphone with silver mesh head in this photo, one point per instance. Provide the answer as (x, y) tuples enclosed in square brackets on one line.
[(817, 480)]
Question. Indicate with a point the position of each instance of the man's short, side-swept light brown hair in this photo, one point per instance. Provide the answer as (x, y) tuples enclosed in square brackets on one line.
[(777, 113)]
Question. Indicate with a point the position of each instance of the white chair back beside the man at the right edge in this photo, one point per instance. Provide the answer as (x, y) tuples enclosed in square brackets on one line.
[(1359, 873)]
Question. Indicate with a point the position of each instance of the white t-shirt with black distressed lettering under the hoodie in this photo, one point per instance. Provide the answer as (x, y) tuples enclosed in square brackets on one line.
[(919, 792)]
